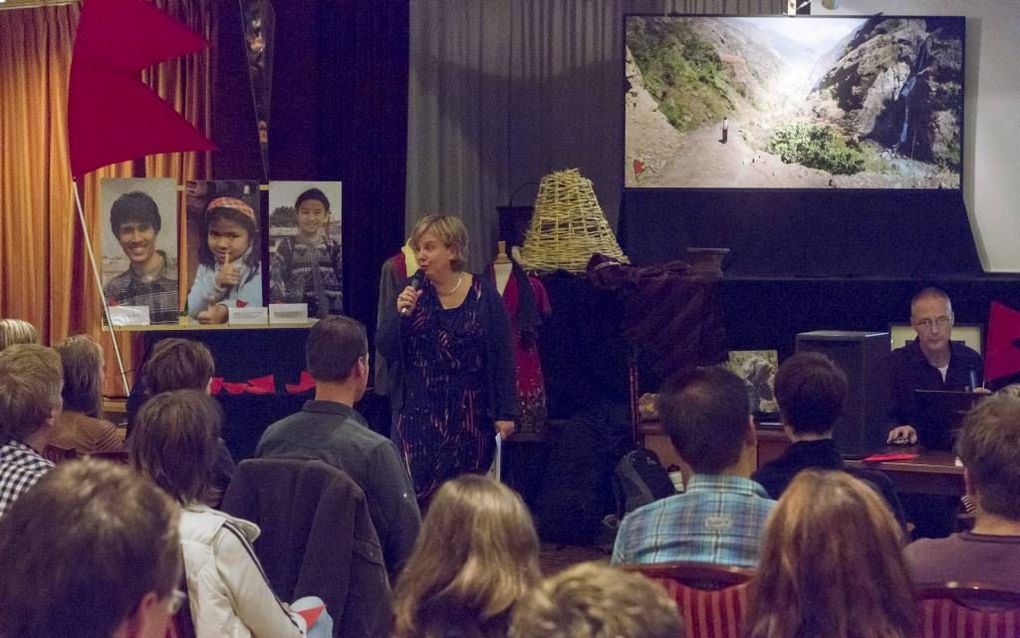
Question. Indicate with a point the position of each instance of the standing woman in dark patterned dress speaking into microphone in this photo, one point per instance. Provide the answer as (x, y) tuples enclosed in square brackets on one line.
[(449, 338)]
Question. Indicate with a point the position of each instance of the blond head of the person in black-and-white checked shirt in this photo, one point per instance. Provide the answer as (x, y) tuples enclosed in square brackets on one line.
[(31, 381)]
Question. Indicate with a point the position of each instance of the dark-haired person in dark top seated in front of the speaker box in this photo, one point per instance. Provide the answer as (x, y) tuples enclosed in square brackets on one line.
[(810, 390)]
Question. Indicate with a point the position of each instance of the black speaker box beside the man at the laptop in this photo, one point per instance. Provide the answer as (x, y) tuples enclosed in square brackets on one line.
[(864, 357)]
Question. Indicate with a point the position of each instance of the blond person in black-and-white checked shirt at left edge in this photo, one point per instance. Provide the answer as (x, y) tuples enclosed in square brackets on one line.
[(31, 381)]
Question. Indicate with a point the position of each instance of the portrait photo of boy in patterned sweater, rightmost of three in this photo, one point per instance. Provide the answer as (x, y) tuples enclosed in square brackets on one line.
[(307, 265)]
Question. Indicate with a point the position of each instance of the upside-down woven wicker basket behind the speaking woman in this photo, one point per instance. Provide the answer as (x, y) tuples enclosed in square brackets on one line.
[(569, 226)]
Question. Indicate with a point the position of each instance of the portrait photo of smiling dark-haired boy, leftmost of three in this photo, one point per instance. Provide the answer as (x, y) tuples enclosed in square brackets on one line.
[(140, 254)]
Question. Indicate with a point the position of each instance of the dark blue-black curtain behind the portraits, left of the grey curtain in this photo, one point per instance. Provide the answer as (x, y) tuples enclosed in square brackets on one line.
[(339, 113)]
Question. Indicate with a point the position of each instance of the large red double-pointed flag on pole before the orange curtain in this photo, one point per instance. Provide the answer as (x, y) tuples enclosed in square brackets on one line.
[(113, 116)]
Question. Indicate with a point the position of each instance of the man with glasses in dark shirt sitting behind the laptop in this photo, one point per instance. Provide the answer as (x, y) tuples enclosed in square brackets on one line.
[(932, 362)]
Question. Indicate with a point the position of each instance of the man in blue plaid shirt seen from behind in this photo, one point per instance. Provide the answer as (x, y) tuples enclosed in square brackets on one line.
[(721, 518)]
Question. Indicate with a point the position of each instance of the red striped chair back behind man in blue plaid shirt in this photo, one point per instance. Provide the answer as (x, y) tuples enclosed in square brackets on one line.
[(710, 599)]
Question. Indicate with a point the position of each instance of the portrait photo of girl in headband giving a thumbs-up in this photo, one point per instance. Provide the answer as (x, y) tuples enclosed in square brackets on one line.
[(230, 272)]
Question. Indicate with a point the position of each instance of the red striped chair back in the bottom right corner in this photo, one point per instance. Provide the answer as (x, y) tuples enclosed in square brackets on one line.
[(968, 611)]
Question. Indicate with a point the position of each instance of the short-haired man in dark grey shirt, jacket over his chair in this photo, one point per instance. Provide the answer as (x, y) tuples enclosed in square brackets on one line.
[(329, 429)]
